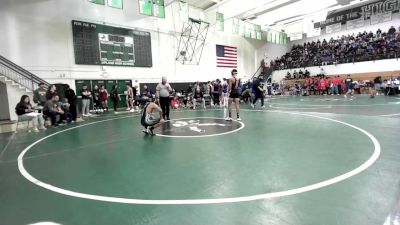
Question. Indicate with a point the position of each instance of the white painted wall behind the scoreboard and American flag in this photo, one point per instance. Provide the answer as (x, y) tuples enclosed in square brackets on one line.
[(37, 35)]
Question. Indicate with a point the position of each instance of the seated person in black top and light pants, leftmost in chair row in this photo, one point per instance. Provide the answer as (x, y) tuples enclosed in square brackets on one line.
[(25, 111)]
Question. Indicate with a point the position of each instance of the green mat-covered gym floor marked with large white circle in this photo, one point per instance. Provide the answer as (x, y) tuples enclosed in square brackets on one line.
[(302, 161)]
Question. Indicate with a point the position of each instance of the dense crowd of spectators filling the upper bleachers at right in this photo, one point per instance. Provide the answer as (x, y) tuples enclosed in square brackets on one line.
[(364, 46)]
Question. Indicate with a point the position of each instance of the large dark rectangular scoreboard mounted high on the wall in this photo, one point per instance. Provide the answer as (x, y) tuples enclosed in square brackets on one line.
[(97, 44)]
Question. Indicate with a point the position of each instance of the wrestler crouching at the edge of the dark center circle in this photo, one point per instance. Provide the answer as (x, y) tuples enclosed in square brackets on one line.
[(148, 121)]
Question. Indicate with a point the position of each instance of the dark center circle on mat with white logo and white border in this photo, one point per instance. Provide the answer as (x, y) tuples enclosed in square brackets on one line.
[(198, 127)]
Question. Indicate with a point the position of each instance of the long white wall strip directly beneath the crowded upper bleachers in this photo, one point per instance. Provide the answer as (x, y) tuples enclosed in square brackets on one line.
[(347, 68)]
